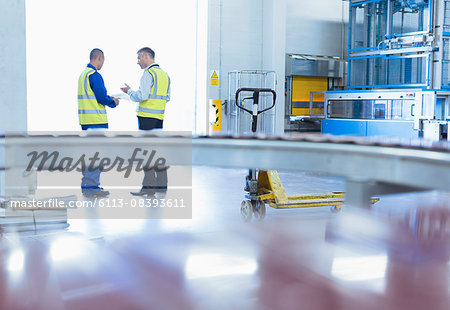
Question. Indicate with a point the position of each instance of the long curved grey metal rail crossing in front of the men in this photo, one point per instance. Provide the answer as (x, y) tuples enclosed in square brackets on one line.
[(369, 167)]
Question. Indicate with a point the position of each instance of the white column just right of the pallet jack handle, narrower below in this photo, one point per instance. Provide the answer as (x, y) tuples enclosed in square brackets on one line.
[(274, 50)]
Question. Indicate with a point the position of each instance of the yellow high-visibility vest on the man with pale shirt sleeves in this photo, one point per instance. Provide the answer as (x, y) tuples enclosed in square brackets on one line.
[(155, 105)]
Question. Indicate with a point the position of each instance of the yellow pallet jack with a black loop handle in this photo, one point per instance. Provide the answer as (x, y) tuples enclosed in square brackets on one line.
[(265, 187)]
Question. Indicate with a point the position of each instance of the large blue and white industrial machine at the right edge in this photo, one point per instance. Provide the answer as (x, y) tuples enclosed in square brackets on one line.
[(398, 80)]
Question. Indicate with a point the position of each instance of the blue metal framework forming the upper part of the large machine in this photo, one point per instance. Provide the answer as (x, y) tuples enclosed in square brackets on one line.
[(382, 44)]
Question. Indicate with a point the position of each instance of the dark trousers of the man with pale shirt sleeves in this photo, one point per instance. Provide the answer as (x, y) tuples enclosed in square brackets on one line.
[(154, 179)]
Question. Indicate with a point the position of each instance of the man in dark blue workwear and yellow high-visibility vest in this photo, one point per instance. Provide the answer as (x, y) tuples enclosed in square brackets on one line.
[(92, 99)]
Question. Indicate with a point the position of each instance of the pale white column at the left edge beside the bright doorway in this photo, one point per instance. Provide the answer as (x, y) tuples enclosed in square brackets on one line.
[(13, 82)]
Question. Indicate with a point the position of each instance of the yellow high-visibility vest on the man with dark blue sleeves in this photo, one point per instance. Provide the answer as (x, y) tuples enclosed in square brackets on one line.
[(90, 112)]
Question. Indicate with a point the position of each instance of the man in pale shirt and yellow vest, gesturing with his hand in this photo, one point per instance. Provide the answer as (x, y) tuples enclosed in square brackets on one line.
[(153, 94)]
